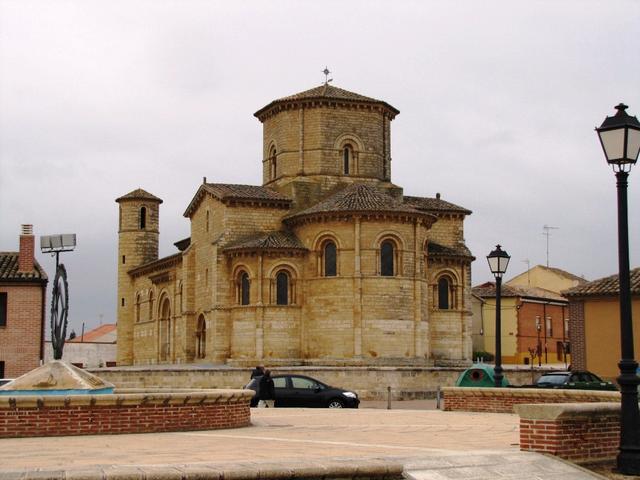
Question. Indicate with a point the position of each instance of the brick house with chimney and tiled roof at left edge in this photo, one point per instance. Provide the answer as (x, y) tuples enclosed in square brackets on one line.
[(23, 286)]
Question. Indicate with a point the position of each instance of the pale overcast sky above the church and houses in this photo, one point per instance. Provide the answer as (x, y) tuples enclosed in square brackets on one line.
[(498, 104)]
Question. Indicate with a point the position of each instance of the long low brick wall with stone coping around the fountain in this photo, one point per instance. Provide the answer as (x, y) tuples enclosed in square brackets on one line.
[(31, 416)]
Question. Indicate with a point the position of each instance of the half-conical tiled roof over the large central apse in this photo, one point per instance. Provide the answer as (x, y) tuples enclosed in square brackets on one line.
[(358, 197)]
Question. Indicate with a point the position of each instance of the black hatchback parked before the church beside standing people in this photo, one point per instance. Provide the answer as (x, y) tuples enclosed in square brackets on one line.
[(303, 391)]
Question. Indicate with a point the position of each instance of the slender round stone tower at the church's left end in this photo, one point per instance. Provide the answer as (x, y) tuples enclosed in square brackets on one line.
[(138, 233)]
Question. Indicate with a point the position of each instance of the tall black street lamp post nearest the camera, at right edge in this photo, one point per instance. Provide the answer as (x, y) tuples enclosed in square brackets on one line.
[(620, 139)]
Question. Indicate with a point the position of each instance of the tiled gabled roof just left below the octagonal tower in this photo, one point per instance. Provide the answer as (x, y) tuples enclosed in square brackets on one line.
[(236, 192)]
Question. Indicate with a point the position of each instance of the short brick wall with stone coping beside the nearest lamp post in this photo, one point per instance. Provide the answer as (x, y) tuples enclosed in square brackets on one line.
[(576, 432)]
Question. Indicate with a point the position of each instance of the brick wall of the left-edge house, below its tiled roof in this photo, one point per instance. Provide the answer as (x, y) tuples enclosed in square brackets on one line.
[(20, 339)]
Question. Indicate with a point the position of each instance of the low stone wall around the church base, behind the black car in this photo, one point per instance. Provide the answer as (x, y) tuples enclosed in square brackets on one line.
[(368, 382)]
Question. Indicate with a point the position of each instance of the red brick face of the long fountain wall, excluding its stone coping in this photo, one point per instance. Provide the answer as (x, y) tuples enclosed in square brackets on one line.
[(109, 419)]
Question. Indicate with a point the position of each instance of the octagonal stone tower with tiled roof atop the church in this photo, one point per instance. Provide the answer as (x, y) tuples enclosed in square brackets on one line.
[(318, 139)]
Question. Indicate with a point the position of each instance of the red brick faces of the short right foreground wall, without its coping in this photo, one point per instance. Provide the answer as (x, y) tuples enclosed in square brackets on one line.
[(593, 437)]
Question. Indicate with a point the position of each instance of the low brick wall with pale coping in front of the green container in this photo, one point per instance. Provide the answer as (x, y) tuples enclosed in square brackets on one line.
[(503, 400)]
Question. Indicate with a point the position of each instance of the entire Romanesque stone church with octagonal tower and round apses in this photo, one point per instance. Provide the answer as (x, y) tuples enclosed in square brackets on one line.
[(326, 263)]
